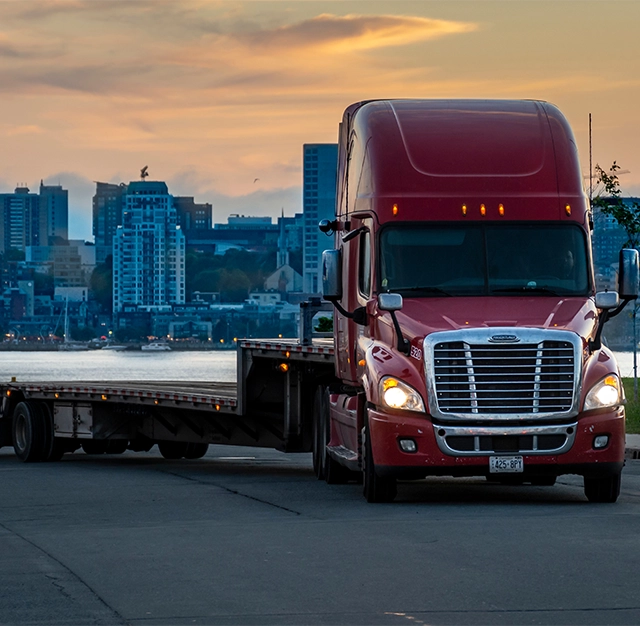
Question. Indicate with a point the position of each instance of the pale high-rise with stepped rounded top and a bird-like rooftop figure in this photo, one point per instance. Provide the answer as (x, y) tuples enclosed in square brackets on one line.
[(148, 250)]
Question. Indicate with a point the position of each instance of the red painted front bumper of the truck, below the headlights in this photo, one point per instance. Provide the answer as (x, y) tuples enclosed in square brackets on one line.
[(430, 460)]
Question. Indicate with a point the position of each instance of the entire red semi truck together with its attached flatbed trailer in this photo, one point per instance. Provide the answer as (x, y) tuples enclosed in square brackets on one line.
[(467, 330)]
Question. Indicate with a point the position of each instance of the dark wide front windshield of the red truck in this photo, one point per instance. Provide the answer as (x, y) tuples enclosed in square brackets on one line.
[(483, 259)]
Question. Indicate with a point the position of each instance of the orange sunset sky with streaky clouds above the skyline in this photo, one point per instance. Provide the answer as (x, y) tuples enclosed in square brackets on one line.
[(212, 95)]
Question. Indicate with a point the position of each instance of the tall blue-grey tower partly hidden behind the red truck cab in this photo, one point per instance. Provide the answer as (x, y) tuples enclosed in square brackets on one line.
[(320, 164)]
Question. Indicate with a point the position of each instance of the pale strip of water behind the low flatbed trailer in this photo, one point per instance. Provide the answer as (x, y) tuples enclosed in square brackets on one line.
[(103, 365)]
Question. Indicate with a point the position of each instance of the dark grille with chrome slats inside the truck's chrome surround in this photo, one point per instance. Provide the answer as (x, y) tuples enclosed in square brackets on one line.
[(504, 379)]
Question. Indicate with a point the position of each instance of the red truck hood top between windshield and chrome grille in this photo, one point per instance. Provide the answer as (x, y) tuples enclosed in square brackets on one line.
[(422, 316)]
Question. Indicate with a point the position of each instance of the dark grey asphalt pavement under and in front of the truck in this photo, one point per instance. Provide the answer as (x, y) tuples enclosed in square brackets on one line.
[(246, 536)]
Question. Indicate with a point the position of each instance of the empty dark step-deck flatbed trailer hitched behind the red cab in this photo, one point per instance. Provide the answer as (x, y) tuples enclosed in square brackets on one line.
[(270, 406)]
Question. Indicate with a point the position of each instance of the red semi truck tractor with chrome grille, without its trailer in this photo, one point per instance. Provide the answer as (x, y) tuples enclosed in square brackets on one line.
[(467, 327)]
